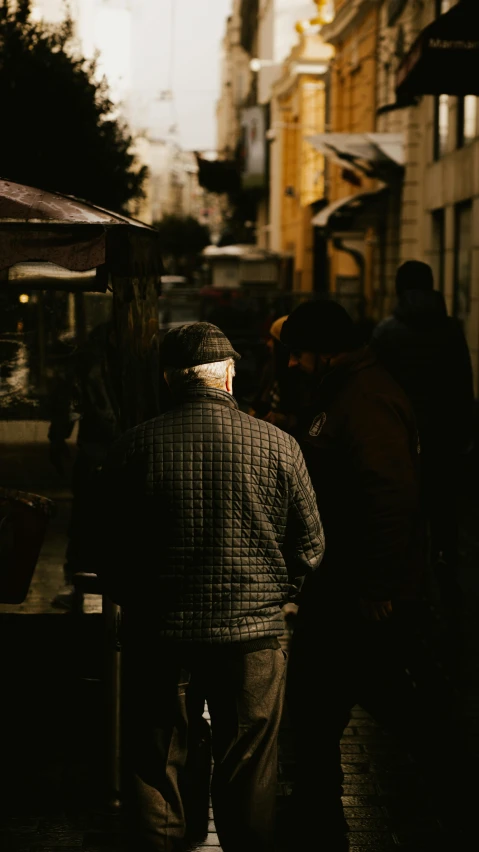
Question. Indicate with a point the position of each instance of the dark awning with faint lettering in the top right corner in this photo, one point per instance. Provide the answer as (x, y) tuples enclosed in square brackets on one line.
[(444, 59)]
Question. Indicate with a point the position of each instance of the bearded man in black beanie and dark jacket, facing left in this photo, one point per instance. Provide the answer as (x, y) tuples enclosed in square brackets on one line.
[(355, 623)]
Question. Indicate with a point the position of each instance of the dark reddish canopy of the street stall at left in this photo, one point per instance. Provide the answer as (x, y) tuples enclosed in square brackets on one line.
[(48, 227)]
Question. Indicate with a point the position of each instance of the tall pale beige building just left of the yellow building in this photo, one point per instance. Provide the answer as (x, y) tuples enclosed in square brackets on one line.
[(258, 39)]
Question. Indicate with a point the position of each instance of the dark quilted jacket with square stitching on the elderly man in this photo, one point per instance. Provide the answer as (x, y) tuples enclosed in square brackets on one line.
[(214, 517)]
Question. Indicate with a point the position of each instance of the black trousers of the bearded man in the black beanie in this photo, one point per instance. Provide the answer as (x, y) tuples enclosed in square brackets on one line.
[(338, 660)]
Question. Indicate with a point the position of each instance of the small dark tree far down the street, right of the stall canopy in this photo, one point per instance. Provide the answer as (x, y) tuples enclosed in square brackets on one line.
[(183, 239)]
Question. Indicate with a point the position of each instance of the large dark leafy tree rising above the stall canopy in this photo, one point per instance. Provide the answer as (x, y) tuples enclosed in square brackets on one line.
[(59, 129)]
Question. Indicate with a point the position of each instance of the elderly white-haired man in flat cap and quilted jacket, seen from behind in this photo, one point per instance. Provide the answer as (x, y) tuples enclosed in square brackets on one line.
[(216, 521)]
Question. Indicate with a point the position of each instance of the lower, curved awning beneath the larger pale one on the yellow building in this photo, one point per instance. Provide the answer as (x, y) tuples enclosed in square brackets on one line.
[(354, 211)]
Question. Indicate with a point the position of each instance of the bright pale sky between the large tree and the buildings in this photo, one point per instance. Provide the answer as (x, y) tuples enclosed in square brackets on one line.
[(146, 49)]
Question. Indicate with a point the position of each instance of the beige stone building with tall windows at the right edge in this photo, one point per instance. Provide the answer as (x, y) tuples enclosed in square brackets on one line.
[(439, 212)]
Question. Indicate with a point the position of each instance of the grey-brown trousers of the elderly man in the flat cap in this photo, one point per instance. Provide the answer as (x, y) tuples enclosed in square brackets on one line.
[(165, 700)]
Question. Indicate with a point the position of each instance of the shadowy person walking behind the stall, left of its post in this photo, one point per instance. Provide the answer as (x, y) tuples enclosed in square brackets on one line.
[(88, 396)]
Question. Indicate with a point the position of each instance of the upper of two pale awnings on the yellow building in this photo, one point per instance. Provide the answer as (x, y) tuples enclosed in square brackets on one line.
[(373, 154)]
